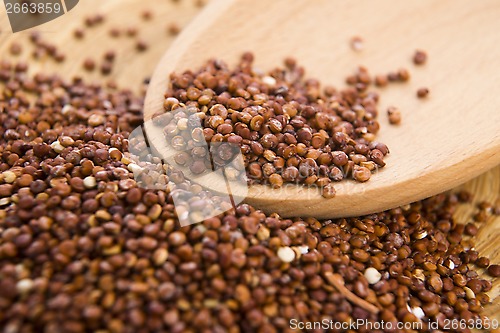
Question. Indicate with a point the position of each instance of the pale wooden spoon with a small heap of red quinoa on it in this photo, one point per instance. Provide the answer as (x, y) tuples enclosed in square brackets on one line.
[(446, 139)]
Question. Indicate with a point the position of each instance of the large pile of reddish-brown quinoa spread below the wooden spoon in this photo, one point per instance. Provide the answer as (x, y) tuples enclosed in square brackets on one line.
[(83, 248)]
